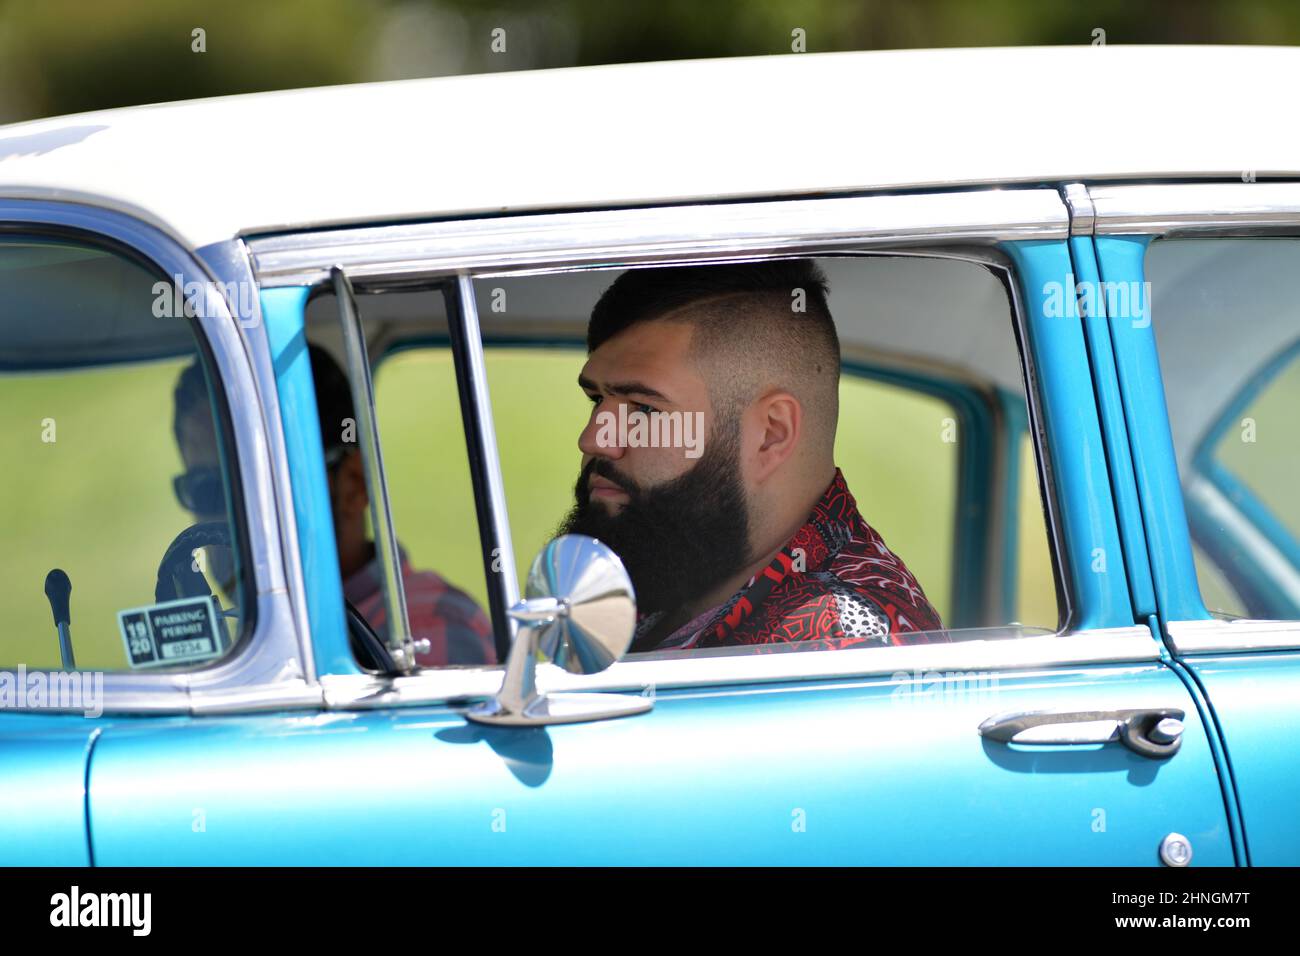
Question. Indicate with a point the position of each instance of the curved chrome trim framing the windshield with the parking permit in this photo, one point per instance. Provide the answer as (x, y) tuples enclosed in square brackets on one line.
[(271, 668)]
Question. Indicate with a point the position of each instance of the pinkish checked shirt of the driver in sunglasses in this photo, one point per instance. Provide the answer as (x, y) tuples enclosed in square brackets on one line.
[(457, 629)]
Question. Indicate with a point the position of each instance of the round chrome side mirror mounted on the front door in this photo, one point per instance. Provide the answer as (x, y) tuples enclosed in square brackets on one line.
[(580, 612)]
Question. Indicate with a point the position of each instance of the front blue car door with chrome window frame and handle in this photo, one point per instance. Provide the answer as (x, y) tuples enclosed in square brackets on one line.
[(1004, 746)]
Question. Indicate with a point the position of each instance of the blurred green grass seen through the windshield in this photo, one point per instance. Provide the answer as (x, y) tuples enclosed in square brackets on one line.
[(97, 503)]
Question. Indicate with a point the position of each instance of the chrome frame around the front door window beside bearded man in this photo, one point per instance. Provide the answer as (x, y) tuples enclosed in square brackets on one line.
[(934, 226)]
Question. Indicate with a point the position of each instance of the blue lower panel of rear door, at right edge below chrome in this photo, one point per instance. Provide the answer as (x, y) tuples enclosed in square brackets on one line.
[(1255, 703)]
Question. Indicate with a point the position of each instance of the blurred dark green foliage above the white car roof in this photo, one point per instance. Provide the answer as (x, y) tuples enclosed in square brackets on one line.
[(60, 57)]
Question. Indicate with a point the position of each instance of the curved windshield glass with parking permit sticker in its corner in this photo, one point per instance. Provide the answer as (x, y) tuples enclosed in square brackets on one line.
[(123, 539)]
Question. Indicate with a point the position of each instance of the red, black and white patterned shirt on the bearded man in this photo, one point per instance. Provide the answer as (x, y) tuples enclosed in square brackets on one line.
[(835, 582)]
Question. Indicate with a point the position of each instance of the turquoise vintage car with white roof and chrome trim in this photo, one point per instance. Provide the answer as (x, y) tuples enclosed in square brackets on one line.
[(1068, 310)]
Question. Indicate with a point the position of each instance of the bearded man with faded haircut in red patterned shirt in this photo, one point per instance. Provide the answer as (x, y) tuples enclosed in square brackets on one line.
[(709, 466)]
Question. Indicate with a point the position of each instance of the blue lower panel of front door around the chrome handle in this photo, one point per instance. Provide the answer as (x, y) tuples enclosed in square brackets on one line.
[(870, 772)]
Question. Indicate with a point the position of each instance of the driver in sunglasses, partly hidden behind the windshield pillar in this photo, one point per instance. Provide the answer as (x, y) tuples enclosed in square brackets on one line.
[(457, 629)]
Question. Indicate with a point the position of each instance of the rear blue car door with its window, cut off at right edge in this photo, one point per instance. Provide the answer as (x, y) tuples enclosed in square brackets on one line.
[(1211, 388)]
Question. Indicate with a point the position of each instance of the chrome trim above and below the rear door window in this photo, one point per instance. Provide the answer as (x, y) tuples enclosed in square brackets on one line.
[(1221, 210)]
